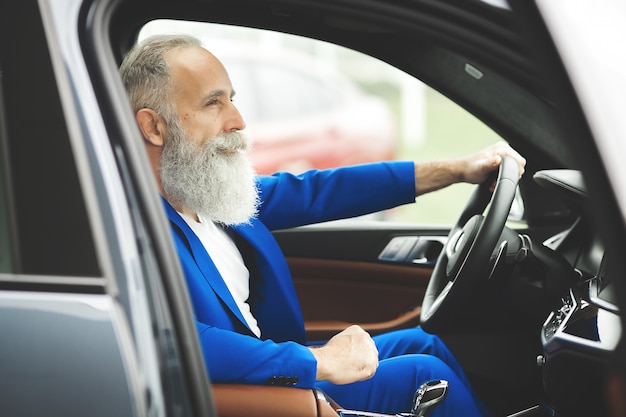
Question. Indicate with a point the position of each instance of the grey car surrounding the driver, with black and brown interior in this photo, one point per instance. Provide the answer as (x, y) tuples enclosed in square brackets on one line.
[(94, 312)]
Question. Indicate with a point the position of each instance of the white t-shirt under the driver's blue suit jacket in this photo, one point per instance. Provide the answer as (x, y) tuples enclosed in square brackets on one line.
[(229, 263)]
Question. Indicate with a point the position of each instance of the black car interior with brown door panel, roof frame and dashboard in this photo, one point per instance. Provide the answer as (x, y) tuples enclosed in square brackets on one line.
[(525, 337)]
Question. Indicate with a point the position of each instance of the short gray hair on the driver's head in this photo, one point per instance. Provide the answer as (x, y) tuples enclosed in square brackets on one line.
[(146, 75)]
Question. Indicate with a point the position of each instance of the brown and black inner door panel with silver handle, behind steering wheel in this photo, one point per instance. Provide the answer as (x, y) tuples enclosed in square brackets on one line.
[(374, 276)]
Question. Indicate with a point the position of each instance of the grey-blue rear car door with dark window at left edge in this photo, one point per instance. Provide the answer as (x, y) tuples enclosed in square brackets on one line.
[(67, 347)]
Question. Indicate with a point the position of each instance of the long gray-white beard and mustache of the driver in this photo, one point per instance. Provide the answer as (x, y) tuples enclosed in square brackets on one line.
[(214, 179)]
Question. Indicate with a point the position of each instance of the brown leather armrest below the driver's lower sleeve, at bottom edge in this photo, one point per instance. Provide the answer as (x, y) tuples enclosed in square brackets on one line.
[(240, 400)]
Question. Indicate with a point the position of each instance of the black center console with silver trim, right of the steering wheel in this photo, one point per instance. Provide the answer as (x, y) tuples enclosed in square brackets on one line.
[(577, 339)]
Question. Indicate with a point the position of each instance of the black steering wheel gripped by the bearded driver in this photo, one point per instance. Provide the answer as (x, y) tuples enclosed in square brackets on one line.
[(464, 263)]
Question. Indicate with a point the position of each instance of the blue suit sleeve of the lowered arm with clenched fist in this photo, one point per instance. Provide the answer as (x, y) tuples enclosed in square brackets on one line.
[(228, 355)]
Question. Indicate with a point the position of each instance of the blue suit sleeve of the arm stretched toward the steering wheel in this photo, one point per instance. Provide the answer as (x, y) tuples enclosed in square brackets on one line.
[(290, 200)]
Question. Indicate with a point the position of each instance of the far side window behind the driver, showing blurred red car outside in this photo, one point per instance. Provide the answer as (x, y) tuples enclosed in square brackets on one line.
[(310, 104)]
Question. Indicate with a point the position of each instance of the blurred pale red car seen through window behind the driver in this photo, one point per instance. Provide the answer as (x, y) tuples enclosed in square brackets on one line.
[(302, 115)]
